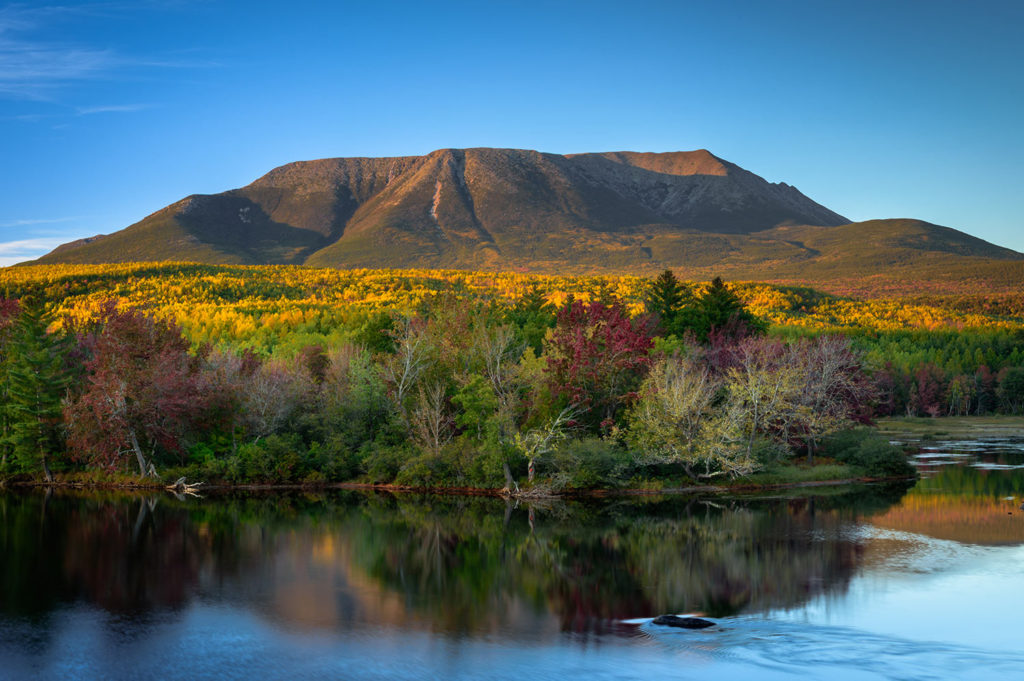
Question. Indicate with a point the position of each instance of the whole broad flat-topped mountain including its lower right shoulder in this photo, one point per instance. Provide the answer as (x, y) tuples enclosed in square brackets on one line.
[(515, 209)]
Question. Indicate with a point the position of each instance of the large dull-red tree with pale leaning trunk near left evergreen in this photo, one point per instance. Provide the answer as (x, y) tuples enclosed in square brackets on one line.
[(142, 393)]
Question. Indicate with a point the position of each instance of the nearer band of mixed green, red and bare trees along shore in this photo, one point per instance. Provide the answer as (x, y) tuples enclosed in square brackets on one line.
[(458, 394)]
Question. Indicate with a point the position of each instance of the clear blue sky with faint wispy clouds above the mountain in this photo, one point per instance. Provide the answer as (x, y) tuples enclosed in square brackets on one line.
[(110, 111)]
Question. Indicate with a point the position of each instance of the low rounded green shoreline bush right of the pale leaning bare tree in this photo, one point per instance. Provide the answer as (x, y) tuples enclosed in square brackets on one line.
[(590, 463)]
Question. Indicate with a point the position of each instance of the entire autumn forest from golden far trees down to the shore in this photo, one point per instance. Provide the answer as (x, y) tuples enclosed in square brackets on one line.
[(452, 379)]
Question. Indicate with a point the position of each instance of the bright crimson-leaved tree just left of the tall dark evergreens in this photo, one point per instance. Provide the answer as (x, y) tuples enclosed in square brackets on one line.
[(598, 357)]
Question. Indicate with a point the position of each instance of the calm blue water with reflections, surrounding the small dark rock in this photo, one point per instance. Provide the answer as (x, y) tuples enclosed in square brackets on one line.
[(876, 582)]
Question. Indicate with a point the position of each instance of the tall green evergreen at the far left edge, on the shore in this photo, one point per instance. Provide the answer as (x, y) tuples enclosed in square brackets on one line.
[(37, 379)]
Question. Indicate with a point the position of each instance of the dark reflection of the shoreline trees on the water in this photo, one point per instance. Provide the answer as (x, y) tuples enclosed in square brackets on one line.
[(453, 565)]
